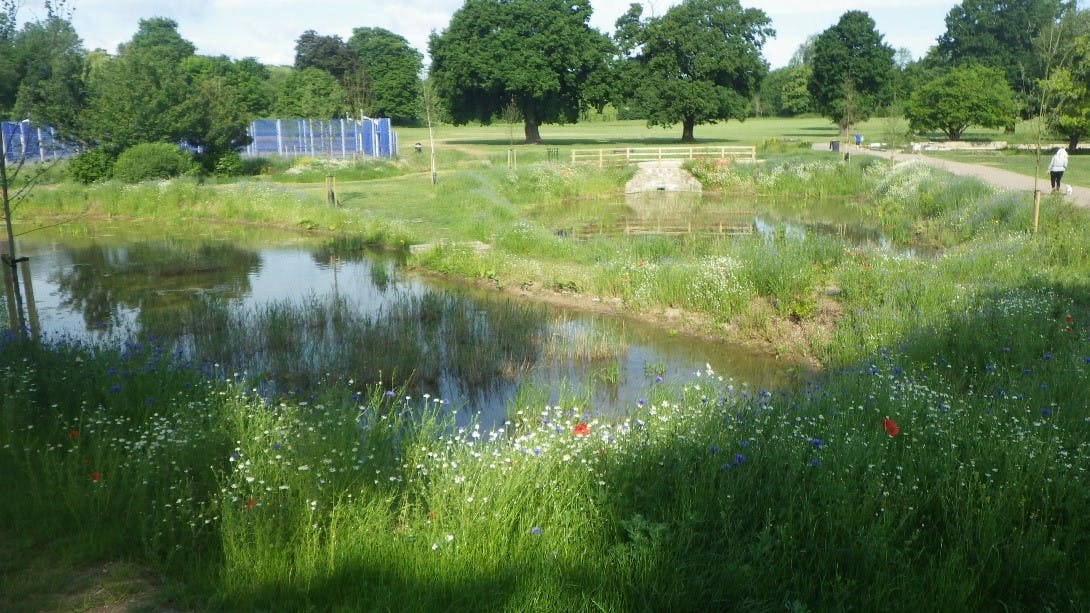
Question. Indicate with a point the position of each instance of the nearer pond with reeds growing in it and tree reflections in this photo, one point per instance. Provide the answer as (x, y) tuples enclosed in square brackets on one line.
[(289, 315)]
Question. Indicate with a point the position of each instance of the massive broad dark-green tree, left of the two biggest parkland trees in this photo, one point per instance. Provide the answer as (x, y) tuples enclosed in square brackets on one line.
[(538, 57)]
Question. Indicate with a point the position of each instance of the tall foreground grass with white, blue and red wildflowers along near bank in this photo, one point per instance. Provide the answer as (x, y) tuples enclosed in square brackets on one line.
[(709, 495)]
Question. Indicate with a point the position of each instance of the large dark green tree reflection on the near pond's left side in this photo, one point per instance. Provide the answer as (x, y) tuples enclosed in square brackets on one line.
[(158, 281)]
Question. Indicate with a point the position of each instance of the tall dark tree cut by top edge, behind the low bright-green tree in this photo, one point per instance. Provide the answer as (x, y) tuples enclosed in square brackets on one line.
[(998, 34)]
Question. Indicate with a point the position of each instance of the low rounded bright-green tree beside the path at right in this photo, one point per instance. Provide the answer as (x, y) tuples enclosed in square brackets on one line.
[(970, 95)]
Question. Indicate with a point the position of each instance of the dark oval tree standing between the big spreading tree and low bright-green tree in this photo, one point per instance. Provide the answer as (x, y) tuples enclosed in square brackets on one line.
[(853, 70)]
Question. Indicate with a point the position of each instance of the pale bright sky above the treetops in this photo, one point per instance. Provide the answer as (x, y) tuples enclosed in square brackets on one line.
[(268, 30)]
